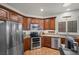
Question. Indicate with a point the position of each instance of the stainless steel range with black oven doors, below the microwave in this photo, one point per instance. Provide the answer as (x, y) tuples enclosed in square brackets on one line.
[(35, 40)]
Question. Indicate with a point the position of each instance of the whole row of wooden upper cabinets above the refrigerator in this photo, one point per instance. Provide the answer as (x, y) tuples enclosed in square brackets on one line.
[(7, 14)]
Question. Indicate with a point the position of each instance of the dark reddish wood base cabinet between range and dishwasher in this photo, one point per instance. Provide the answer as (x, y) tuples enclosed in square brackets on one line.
[(46, 41)]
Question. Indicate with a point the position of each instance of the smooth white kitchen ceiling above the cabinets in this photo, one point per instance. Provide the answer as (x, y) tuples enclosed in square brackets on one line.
[(33, 9)]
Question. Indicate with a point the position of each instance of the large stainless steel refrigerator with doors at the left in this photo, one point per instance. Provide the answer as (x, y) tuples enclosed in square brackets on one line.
[(11, 36)]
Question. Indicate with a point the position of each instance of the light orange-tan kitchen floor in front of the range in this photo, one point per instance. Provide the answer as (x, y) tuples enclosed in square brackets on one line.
[(42, 51)]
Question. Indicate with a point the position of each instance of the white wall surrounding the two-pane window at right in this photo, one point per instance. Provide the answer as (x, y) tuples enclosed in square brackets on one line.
[(74, 16)]
